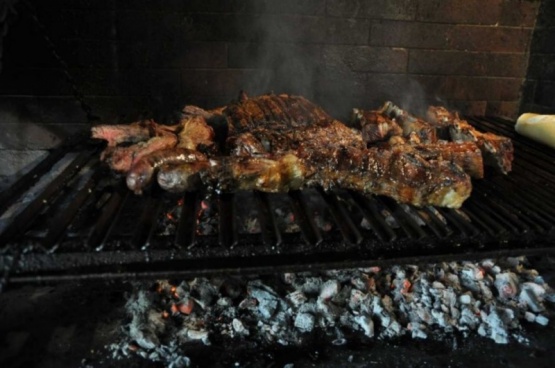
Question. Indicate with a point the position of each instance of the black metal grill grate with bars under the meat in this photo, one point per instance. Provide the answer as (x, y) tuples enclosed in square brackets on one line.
[(83, 223)]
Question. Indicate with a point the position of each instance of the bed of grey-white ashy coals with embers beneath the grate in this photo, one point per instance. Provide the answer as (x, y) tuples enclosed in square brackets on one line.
[(490, 298)]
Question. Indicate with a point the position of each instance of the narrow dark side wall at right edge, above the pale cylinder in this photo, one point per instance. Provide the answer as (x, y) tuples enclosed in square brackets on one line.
[(539, 88)]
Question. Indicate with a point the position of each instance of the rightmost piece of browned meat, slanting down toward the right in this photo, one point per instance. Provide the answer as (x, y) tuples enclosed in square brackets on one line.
[(497, 151)]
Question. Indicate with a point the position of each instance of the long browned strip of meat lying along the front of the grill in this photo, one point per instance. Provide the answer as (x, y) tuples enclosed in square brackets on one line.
[(406, 177)]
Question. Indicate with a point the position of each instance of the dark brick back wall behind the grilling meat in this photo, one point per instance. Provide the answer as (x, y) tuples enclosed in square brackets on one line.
[(151, 57)]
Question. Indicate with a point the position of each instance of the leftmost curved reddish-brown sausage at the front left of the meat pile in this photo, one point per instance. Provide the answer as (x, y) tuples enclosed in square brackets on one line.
[(142, 171)]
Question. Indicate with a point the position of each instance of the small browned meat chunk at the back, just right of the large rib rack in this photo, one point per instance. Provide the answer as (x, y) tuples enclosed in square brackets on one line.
[(375, 126)]
